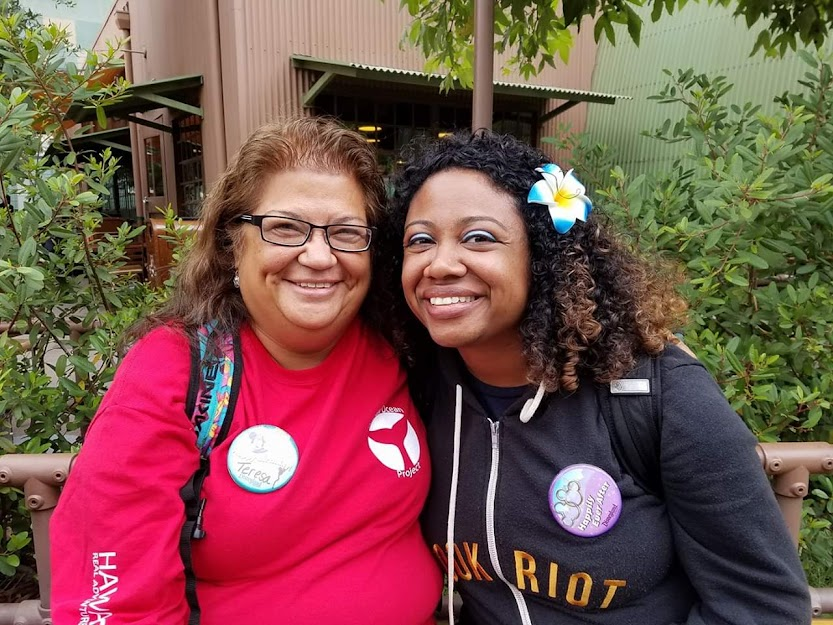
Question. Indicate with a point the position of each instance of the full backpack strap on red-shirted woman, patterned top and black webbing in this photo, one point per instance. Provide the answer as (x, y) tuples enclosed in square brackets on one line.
[(213, 387)]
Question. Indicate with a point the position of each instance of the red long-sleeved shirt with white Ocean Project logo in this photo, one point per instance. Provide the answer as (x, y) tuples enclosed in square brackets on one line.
[(338, 543)]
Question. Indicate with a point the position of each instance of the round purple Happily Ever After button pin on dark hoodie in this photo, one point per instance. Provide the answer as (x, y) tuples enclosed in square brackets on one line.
[(585, 500)]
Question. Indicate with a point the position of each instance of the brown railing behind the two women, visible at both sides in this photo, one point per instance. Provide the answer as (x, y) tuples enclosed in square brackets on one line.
[(42, 476)]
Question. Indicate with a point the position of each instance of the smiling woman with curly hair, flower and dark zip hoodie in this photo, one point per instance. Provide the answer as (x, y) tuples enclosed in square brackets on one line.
[(535, 310)]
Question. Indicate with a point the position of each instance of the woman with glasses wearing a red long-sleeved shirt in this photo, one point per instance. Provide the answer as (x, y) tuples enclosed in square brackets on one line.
[(308, 510)]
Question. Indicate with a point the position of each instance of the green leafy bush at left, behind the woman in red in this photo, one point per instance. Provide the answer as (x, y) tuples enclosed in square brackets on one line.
[(63, 300)]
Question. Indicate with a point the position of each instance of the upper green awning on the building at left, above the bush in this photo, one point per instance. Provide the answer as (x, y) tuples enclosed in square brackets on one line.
[(143, 97)]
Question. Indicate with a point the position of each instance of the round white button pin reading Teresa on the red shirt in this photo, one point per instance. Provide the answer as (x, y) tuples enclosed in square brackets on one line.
[(262, 458)]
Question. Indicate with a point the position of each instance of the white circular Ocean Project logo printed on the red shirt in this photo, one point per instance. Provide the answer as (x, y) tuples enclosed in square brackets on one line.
[(394, 442)]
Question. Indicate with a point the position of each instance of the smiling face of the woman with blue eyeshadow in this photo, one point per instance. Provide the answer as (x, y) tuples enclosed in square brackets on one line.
[(465, 270)]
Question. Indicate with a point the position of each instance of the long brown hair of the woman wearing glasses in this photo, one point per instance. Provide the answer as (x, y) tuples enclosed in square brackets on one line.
[(203, 288)]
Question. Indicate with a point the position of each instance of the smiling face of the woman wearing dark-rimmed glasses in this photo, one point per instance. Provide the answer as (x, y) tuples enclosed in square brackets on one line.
[(303, 298)]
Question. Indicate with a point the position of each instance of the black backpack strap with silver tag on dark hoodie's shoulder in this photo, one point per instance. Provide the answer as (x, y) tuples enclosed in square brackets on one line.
[(632, 409)]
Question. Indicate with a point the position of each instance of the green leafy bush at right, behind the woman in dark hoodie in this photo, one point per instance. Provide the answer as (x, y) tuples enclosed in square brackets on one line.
[(747, 212)]
